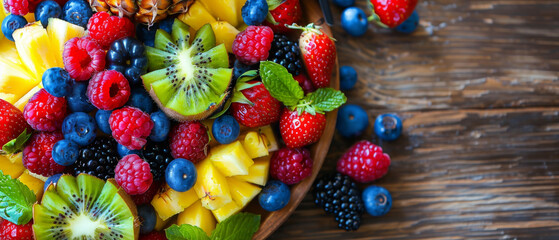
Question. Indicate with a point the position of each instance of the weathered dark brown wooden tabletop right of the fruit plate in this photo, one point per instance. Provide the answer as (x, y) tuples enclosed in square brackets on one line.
[(478, 89)]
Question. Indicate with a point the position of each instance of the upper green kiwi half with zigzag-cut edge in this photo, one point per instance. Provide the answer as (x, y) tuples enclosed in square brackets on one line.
[(189, 80)]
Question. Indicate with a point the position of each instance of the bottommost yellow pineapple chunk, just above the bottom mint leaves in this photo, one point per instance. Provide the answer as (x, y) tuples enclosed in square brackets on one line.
[(197, 215)]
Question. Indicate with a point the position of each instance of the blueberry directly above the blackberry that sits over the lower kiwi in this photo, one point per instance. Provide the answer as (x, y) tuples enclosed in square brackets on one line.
[(80, 128)]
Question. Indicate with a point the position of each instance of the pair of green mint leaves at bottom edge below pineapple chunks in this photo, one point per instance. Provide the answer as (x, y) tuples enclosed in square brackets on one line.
[(241, 226)]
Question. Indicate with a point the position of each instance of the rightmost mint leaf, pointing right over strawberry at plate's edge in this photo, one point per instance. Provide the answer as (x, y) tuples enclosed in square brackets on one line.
[(326, 99)]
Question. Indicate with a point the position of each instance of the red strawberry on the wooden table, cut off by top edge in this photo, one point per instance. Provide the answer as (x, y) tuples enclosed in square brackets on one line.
[(391, 13)]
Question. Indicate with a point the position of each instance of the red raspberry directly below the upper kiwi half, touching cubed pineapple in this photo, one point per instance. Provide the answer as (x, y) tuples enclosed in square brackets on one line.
[(189, 140)]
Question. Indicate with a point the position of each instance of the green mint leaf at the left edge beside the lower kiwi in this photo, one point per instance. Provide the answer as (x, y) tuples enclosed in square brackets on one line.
[(16, 200)]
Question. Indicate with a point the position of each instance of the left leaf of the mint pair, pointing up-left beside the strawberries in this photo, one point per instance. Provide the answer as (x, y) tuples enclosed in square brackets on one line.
[(280, 83)]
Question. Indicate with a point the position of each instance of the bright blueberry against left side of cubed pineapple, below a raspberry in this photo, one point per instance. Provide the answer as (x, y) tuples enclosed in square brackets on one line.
[(180, 175)]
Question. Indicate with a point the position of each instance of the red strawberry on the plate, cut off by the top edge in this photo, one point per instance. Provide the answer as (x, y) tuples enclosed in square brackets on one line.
[(286, 13)]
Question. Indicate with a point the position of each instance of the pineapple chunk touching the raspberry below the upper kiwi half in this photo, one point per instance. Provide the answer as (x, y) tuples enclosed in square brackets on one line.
[(231, 159)]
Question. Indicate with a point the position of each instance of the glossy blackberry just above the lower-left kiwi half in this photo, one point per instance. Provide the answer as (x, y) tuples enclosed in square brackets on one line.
[(98, 158)]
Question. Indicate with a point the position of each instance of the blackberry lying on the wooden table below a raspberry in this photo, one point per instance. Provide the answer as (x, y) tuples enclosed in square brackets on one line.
[(338, 195)]
